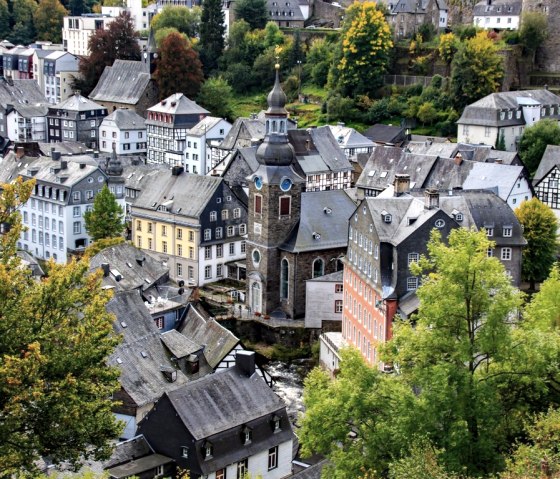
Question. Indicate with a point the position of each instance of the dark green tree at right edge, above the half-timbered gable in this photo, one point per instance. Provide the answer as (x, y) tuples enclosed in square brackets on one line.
[(534, 141)]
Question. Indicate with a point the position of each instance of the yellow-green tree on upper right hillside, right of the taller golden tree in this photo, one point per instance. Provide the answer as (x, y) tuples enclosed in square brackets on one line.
[(476, 70)]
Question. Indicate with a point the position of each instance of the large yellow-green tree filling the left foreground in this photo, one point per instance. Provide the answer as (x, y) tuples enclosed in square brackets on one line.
[(55, 339)]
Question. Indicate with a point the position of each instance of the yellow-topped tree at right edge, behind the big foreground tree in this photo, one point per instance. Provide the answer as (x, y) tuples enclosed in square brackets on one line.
[(539, 229)]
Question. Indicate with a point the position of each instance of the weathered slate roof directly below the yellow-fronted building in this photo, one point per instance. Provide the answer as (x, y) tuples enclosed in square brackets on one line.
[(126, 259)]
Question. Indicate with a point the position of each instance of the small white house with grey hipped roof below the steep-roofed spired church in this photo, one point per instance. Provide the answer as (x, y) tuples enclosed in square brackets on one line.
[(124, 130)]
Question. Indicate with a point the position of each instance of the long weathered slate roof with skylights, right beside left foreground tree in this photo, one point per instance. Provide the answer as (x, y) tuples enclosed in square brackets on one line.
[(141, 354)]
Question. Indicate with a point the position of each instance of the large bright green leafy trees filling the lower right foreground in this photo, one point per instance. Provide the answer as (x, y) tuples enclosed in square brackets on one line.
[(467, 373)]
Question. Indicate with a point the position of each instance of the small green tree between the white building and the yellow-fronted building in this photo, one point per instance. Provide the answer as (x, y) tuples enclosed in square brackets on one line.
[(105, 220)]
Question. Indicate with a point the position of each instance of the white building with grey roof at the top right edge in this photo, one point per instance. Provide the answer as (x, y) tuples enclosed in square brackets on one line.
[(497, 14)]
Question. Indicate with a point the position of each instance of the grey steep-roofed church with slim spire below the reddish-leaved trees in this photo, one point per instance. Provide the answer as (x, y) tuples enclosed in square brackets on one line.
[(129, 84)]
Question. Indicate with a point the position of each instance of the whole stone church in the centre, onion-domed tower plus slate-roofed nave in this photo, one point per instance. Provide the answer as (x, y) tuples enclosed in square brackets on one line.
[(292, 236)]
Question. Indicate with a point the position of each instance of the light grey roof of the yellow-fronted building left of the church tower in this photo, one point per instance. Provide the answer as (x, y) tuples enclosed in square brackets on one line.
[(189, 192)]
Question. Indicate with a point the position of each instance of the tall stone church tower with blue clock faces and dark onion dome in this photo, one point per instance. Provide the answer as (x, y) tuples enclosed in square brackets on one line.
[(274, 211)]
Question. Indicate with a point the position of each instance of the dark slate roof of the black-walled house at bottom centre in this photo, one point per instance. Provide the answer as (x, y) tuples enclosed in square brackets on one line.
[(223, 400)]
